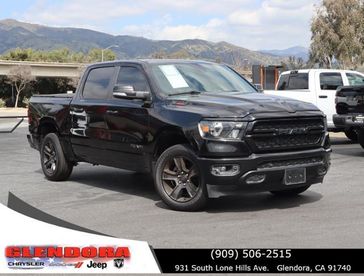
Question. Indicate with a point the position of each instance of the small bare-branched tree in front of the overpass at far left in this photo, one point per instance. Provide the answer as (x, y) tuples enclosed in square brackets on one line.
[(19, 76)]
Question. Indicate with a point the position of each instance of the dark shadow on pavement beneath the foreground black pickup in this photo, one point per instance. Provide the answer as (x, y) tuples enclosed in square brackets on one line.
[(141, 185)]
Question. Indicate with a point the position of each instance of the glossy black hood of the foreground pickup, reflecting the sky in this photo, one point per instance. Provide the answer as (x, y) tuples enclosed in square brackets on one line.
[(237, 104)]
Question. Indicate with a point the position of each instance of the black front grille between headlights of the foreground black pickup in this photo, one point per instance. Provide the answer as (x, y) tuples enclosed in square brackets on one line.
[(285, 134)]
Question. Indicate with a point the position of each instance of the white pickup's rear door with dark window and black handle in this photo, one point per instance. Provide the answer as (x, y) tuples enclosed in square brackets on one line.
[(328, 82)]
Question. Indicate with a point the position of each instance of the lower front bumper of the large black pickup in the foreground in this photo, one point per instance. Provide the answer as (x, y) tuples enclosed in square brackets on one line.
[(272, 166)]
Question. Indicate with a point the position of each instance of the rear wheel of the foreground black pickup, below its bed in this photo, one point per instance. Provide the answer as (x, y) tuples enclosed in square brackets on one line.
[(54, 164)]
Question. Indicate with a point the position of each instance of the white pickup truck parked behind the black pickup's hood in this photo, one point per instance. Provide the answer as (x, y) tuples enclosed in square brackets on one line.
[(317, 86)]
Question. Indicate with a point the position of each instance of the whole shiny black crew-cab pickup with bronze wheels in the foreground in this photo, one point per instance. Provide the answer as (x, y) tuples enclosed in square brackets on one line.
[(199, 128)]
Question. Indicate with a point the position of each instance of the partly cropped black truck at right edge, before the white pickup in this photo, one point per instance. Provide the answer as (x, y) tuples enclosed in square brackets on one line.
[(350, 110)]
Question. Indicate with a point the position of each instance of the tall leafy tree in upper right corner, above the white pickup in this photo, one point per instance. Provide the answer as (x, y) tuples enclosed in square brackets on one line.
[(338, 34)]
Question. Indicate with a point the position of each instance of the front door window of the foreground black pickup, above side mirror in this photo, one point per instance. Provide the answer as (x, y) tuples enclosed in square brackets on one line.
[(132, 76)]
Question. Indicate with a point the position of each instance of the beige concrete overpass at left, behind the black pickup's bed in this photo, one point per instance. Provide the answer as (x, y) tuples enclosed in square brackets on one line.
[(44, 69)]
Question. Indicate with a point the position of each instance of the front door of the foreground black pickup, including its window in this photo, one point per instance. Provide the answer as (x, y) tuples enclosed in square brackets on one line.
[(127, 121)]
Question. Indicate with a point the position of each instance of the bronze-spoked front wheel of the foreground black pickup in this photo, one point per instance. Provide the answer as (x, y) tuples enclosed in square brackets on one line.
[(178, 179)]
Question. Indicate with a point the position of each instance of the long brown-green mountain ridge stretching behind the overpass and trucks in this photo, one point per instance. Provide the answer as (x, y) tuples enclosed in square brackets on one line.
[(15, 34)]
